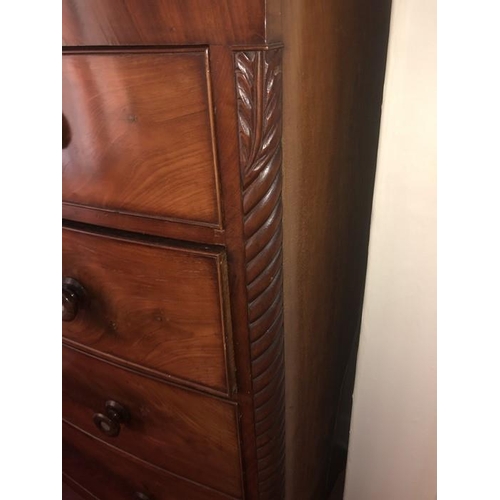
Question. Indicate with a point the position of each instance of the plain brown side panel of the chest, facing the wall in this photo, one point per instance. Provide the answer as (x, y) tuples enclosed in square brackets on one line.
[(331, 120)]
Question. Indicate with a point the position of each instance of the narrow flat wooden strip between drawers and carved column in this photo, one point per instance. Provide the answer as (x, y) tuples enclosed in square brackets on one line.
[(223, 73)]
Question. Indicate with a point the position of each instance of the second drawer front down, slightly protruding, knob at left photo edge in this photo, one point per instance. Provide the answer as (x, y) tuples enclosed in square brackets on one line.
[(154, 306)]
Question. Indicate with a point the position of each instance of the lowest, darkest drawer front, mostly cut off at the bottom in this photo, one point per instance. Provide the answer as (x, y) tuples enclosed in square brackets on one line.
[(109, 474)]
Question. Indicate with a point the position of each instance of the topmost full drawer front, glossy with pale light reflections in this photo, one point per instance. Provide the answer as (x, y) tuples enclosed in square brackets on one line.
[(138, 135)]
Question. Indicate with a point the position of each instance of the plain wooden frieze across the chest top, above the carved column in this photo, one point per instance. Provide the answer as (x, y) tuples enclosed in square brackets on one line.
[(170, 22)]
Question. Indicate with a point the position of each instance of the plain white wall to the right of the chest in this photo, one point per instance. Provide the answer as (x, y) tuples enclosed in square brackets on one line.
[(392, 450)]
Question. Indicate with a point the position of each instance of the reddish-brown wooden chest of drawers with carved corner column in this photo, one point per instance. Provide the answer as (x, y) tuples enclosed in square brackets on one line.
[(217, 170)]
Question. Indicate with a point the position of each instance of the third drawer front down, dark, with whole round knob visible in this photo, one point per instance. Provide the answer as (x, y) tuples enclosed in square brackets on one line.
[(180, 431)]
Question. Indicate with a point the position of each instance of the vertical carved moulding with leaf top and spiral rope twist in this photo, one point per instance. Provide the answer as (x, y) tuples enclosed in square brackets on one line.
[(259, 93)]
